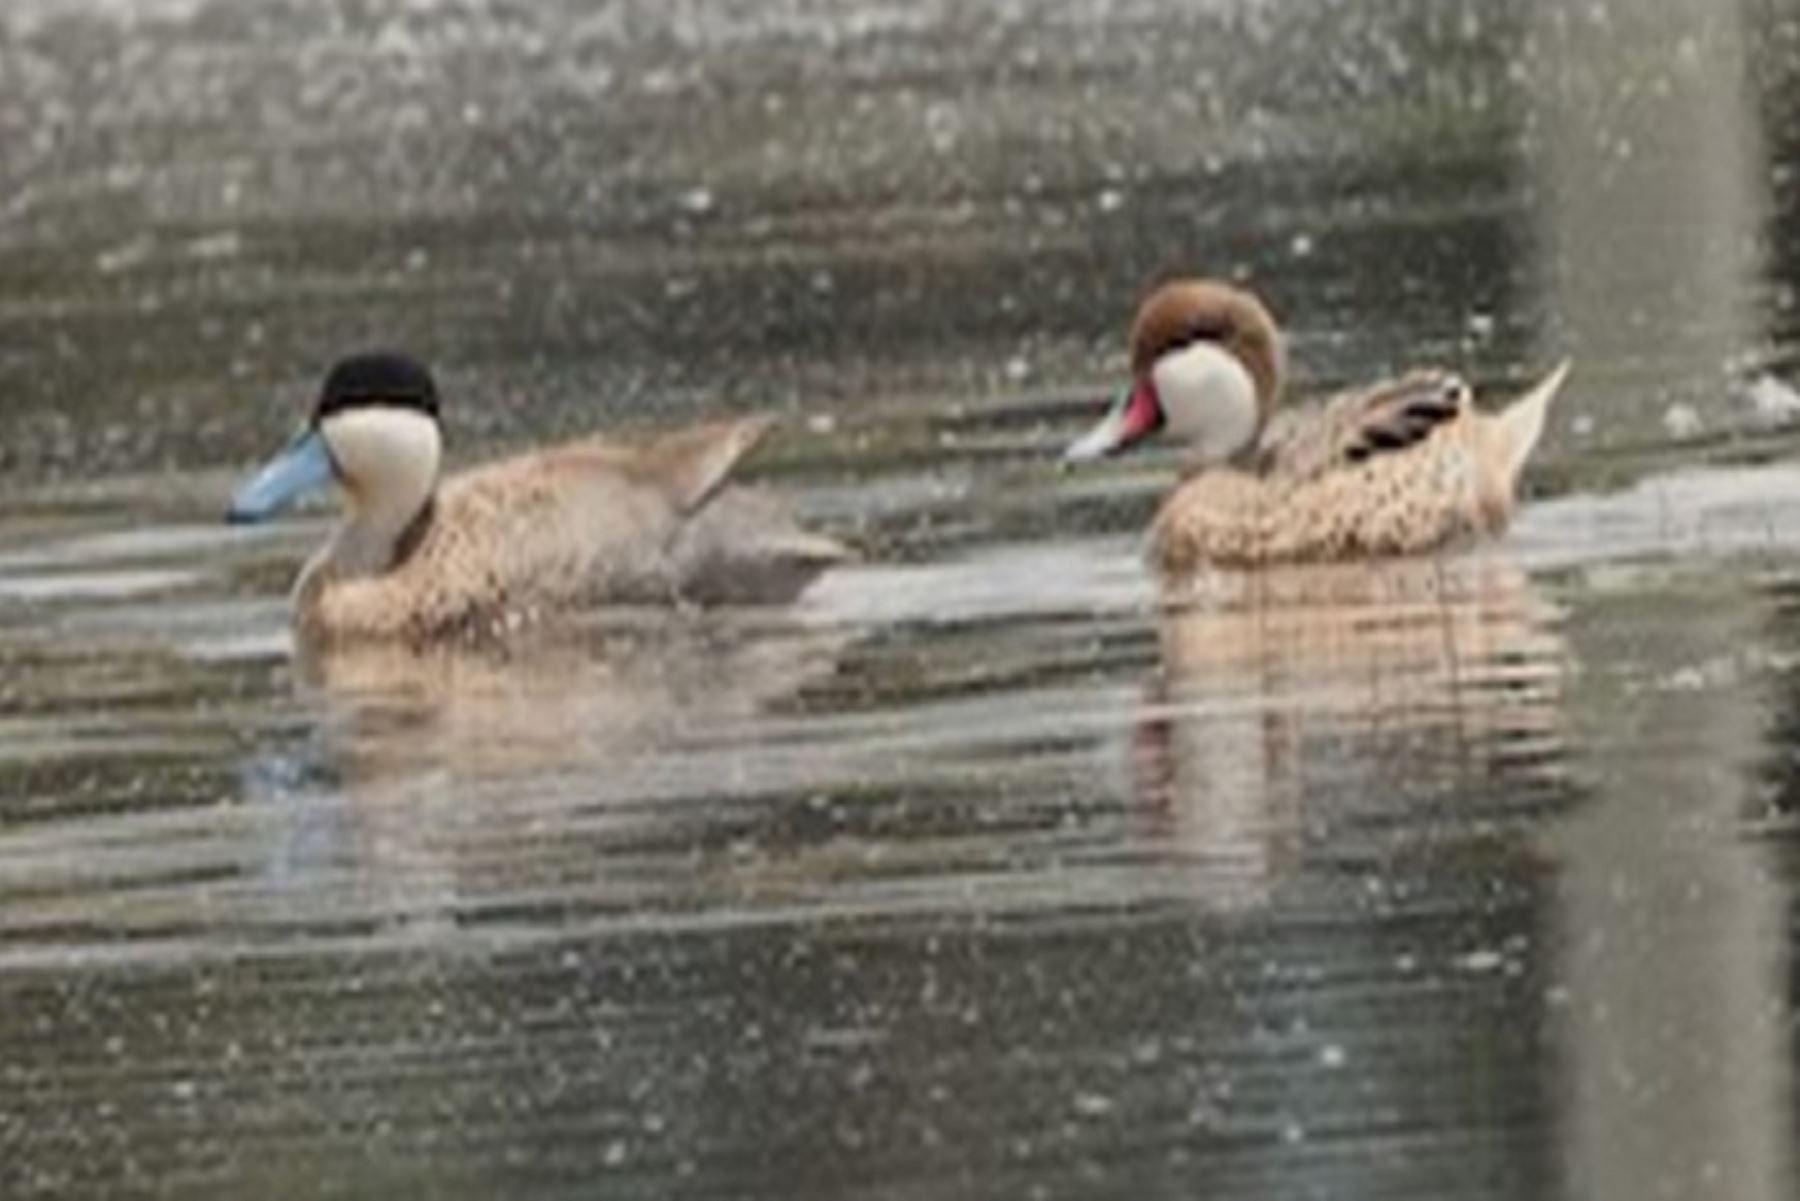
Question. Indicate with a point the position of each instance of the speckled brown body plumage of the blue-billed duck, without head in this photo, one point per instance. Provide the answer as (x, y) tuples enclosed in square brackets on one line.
[(586, 523)]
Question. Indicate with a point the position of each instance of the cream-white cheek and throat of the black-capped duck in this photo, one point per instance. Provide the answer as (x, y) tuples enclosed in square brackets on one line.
[(388, 462)]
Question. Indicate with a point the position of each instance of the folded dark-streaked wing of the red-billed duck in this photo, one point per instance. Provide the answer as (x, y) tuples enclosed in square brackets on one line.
[(1356, 426)]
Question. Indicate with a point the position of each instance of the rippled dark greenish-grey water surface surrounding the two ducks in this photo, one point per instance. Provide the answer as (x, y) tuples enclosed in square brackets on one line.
[(975, 874)]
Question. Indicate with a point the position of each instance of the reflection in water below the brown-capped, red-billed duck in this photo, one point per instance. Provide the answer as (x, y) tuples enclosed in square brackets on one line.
[(1317, 710)]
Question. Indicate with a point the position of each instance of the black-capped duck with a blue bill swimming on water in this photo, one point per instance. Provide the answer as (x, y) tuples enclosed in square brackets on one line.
[(593, 521)]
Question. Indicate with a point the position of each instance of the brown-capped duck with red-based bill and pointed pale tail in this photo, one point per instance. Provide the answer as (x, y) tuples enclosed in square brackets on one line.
[(1401, 467)]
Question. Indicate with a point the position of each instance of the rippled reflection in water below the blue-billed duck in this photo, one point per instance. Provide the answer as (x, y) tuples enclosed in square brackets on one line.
[(451, 784)]
